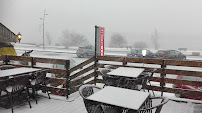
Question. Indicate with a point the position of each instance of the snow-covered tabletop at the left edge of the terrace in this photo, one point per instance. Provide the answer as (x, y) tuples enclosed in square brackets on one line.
[(17, 71)]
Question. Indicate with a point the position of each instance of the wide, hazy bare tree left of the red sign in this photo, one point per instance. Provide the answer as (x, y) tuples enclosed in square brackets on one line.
[(73, 39)]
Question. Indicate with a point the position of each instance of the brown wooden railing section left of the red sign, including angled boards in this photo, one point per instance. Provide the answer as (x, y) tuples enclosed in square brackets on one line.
[(68, 84)]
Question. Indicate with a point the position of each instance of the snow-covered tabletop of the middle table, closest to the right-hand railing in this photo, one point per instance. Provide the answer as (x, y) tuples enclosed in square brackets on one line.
[(127, 72)]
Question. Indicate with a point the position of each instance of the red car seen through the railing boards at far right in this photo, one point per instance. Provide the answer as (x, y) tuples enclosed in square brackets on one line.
[(188, 87)]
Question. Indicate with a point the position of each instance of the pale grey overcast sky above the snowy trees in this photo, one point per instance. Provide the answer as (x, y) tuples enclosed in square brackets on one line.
[(178, 22)]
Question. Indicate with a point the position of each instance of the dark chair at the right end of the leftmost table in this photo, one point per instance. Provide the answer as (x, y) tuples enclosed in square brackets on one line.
[(38, 83)]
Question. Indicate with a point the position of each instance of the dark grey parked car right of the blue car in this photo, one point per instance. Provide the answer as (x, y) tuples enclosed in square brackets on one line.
[(170, 54)]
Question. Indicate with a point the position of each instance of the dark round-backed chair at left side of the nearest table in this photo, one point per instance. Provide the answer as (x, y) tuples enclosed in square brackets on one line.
[(91, 106)]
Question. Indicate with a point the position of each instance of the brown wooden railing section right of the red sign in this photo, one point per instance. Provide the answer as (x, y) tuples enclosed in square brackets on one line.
[(164, 71)]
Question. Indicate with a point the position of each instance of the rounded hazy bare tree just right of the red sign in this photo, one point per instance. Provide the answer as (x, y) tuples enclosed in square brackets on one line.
[(117, 40)]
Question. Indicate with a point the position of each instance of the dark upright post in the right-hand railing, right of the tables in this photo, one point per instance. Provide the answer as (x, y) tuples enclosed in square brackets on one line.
[(162, 77)]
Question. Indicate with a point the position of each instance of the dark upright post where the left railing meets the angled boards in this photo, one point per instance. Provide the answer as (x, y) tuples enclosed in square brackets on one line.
[(67, 66)]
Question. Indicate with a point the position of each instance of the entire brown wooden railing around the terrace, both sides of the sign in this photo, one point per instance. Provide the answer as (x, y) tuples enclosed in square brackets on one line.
[(85, 72)]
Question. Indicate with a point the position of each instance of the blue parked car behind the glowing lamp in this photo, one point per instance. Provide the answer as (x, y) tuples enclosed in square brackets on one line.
[(137, 53)]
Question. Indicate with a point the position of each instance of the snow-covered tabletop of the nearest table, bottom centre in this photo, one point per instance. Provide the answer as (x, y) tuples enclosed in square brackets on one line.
[(121, 97)]
